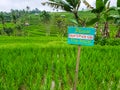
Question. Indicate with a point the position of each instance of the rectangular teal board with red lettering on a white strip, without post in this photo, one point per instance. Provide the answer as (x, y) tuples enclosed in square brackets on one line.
[(81, 36)]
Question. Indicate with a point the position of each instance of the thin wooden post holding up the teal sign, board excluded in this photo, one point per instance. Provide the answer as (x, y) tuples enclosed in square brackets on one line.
[(77, 68)]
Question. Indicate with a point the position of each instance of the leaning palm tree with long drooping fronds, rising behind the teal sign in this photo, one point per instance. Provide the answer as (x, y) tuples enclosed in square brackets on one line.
[(67, 5)]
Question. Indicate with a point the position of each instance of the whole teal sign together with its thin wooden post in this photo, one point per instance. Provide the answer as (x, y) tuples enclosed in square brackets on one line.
[(80, 36)]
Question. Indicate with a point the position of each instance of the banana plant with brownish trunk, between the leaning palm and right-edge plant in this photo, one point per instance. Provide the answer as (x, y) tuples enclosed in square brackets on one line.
[(101, 10)]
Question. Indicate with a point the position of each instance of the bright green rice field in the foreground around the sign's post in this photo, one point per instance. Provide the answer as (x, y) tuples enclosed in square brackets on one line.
[(37, 63)]
